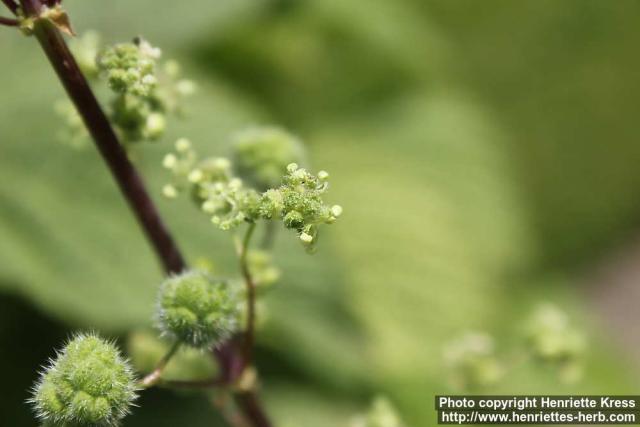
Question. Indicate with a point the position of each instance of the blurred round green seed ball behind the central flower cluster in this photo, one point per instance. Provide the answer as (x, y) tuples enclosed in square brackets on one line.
[(261, 155)]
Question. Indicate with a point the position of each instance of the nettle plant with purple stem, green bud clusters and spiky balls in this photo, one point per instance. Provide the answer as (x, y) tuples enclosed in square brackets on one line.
[(89, 382)]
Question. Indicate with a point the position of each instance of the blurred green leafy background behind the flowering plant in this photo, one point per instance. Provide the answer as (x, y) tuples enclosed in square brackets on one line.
[(485, 153)]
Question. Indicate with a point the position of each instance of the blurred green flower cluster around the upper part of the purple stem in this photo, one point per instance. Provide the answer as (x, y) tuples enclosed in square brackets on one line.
[(145, 90)]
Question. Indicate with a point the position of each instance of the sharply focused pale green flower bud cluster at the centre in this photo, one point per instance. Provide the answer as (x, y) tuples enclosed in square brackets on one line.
[(297, 201)]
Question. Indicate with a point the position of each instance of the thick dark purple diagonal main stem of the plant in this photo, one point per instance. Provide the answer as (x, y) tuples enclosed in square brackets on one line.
[(128, 180)]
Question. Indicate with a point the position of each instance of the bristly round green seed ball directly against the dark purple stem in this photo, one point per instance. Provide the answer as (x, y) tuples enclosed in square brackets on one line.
[(197, 310)]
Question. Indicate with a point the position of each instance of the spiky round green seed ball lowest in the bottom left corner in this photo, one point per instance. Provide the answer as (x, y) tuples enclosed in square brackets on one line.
[(88, 384)]
